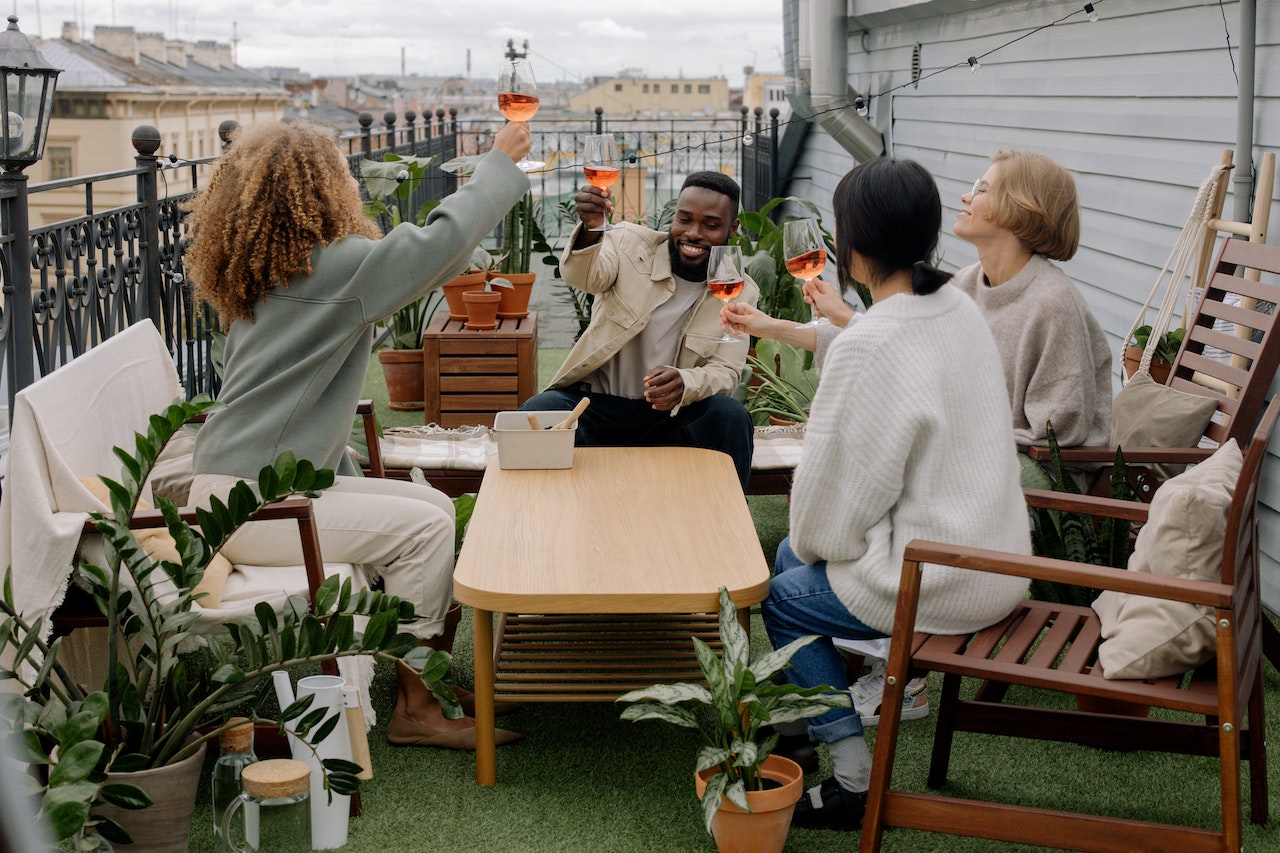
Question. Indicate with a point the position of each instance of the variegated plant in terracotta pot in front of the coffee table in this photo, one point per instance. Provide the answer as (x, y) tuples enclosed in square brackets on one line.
[(740, 783)]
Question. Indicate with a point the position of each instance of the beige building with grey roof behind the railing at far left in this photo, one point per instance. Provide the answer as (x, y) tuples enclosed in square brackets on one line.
[(125, 79)]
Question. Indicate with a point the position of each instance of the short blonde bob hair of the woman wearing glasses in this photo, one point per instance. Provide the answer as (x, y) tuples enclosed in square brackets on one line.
[(1036, 199)]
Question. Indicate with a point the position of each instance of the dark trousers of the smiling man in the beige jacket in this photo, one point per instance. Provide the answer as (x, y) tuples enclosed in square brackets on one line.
[(717, 423)]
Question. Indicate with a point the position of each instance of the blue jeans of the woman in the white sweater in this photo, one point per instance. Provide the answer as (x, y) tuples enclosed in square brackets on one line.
[(801, 604)]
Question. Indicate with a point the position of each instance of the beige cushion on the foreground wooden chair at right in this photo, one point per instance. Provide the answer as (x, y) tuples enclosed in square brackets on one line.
[(1146, 638)]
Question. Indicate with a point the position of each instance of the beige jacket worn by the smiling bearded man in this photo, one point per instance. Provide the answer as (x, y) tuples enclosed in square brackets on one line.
[(629, 272)]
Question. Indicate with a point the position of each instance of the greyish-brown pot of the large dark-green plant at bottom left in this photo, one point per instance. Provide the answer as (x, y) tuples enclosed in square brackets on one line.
[(166, 825)]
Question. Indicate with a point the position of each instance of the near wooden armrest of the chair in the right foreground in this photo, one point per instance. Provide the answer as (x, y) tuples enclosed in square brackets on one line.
[(1078, 574)]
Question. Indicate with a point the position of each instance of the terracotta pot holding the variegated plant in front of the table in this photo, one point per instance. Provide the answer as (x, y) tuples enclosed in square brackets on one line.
[(765, 828)]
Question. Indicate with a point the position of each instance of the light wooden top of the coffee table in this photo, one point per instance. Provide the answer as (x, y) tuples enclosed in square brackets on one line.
[(625, 531)]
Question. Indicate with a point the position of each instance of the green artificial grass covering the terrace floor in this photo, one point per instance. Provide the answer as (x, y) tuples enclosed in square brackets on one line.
[(584, 782)]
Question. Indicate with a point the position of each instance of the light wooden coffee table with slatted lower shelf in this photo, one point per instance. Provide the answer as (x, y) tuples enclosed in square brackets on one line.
[(602, 573)]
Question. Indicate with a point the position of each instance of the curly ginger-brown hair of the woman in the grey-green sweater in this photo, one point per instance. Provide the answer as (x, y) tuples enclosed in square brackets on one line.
[(281, 191)]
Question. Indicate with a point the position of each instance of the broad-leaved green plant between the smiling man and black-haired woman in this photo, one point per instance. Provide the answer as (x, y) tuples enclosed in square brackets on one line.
[(765, 257)]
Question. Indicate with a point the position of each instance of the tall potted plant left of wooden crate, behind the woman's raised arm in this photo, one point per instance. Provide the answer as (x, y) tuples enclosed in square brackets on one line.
[(391, 184)]
